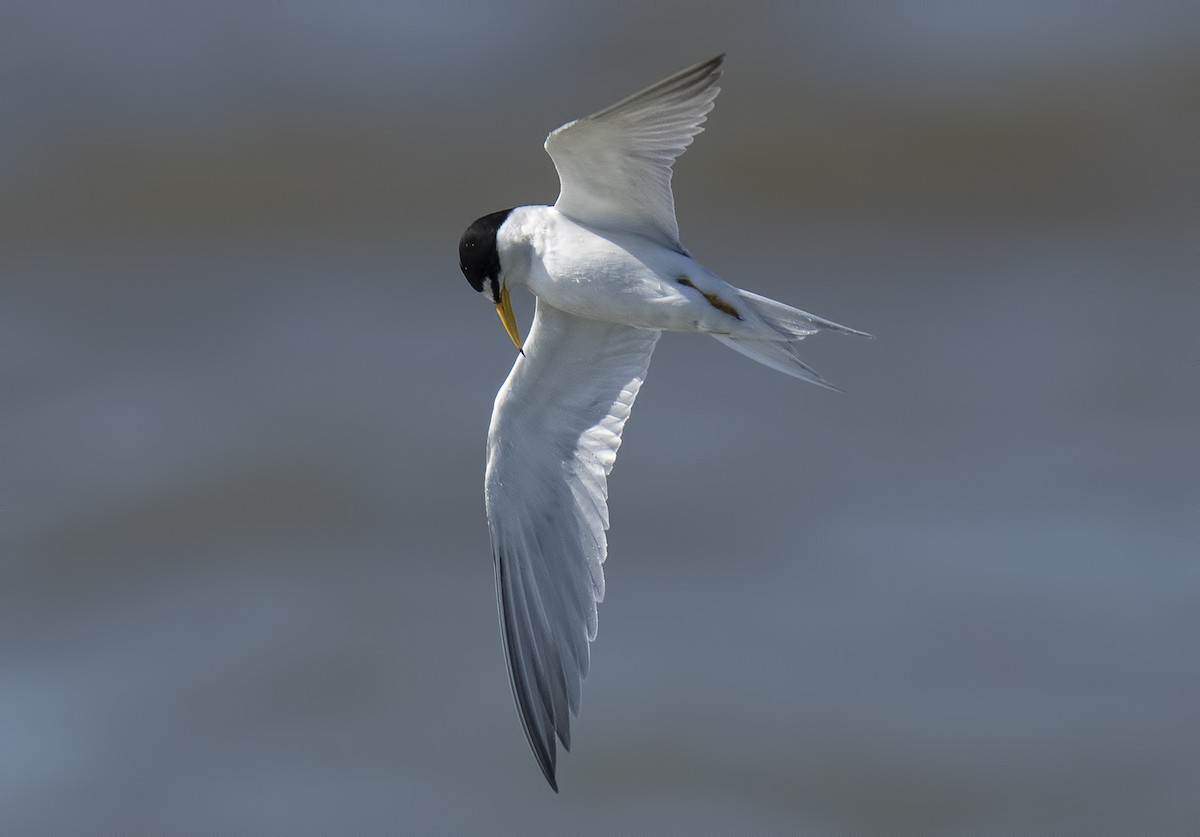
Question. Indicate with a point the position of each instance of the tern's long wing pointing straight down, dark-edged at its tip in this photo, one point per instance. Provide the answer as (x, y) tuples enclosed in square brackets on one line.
[(554, 439)]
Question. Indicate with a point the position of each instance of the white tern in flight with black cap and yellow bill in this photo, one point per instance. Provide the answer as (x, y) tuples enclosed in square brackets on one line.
[(610, 275)]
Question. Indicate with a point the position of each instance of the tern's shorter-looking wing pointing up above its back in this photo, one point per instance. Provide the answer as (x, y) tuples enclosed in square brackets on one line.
[(615, 166)]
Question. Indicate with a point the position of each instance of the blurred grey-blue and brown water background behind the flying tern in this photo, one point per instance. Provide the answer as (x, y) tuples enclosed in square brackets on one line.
[(247, 576)]
